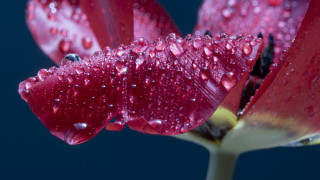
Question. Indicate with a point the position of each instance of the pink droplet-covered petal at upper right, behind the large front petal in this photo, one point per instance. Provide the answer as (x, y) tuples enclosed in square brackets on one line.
[(281, 18)]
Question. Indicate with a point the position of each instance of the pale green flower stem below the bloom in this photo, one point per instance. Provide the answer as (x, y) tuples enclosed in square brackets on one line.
[(221, 165)]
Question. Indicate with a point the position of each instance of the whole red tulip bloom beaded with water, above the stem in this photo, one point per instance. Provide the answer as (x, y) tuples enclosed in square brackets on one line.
[(172, 86)]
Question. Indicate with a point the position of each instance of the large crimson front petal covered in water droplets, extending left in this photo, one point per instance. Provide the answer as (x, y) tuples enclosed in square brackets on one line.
[(166, 87)]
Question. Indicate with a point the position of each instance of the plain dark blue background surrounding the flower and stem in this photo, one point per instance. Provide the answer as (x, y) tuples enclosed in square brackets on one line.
[(29, 151)]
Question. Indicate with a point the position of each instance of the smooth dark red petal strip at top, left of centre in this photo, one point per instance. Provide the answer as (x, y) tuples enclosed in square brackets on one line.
[(110, 20)]
